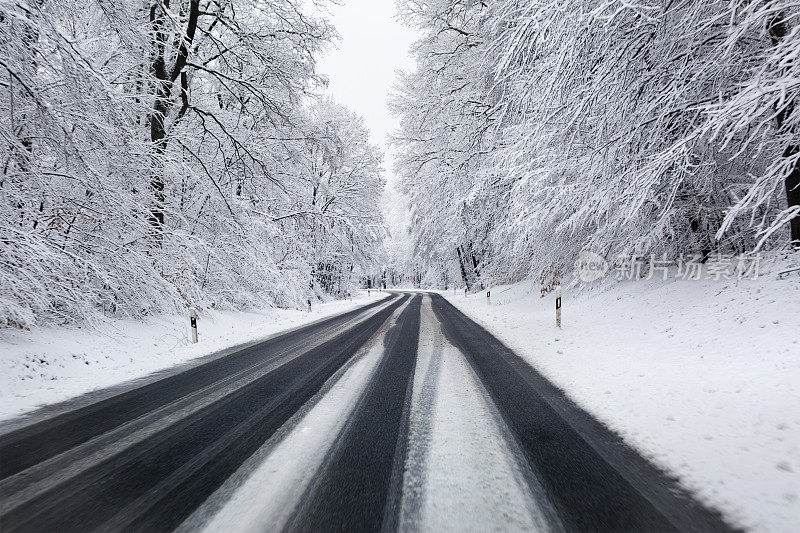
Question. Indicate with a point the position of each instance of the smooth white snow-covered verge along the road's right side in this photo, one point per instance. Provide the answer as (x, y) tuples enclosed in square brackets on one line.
[(702, 376)]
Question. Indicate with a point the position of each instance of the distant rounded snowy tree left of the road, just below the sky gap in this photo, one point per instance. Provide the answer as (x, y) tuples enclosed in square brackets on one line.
[(338, 197)]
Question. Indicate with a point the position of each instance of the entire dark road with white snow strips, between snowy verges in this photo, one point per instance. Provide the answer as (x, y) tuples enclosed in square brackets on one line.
[(400, 415)]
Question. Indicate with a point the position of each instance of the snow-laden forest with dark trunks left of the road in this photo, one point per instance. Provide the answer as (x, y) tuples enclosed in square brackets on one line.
[(162, 153)]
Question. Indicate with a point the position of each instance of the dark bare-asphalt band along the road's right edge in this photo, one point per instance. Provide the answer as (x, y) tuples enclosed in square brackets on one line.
[(588, 492)]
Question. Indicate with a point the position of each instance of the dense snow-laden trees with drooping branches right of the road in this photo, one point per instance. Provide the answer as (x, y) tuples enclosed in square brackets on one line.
[(532, 130)]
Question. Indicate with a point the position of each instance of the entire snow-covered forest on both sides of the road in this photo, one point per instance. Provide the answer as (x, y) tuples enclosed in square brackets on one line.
[(164, 153)]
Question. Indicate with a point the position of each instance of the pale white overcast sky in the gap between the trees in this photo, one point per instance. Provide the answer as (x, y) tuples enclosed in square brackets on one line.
[(362, 65)]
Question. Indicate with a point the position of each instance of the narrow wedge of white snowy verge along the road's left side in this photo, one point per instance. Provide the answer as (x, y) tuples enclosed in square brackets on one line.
[(47, 365)]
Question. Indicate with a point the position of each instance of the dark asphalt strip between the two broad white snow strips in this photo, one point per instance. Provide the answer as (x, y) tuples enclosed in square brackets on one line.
[(360, 483)]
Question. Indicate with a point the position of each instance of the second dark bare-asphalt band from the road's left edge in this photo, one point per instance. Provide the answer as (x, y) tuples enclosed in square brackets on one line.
[(156, 483)]
